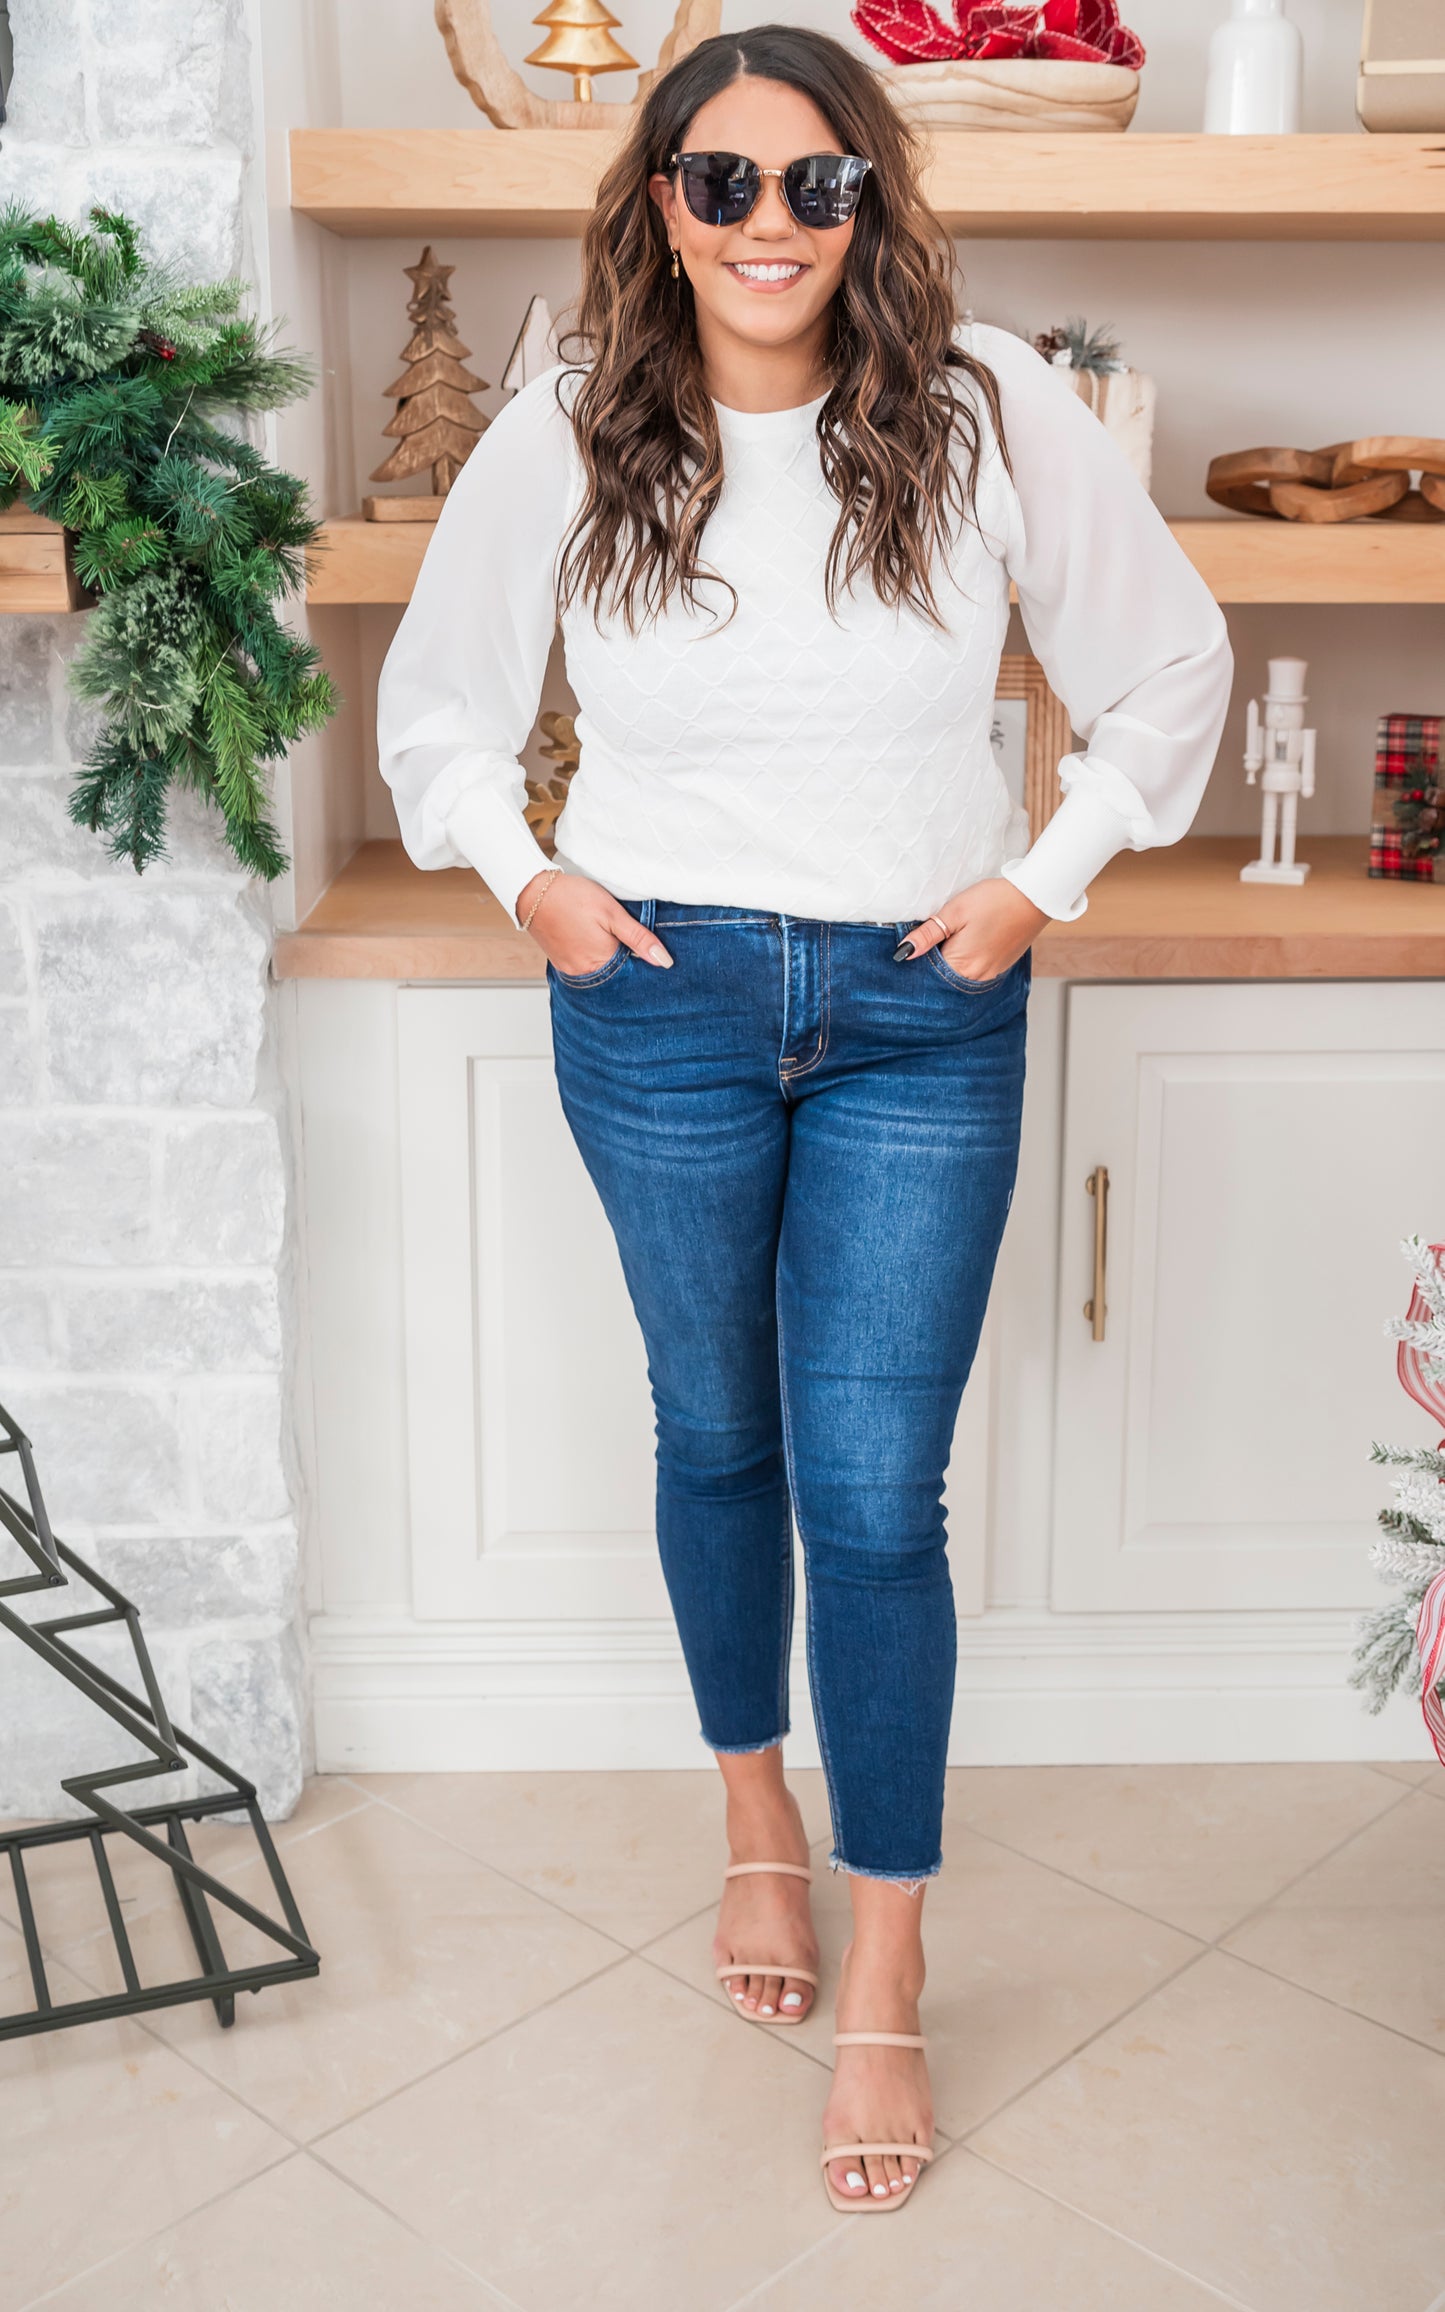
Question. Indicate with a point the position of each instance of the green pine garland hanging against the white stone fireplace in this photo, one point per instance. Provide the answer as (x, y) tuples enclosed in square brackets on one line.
[(114, 385)]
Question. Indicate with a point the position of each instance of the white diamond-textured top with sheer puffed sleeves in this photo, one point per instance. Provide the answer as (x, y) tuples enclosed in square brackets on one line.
[(785, 757)]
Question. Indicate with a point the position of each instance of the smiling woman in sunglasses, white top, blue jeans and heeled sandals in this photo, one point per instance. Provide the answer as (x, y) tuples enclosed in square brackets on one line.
[(778, 503)]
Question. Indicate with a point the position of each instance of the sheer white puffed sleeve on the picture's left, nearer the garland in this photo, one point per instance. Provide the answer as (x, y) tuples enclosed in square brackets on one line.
[(464, 676)]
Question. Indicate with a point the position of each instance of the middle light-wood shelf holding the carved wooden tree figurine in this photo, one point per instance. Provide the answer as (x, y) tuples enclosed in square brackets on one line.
[(1240, 561)]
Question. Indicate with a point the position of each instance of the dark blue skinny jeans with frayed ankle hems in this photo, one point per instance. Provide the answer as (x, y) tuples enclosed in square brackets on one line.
[(808, 1155)]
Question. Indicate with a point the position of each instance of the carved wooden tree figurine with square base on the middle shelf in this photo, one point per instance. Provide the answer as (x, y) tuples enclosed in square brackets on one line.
[(436, 422)]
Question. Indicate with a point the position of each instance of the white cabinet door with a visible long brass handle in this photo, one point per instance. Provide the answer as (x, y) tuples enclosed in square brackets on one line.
[(1268, 1148)]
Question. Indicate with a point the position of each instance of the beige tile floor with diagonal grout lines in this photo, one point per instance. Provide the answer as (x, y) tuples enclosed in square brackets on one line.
[(1190, 2052)]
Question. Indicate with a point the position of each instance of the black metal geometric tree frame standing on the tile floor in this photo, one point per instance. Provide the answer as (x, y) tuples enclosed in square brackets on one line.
[(158, 1830)]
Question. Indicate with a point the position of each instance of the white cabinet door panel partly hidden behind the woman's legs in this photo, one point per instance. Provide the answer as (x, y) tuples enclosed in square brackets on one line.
[(528, 1407)]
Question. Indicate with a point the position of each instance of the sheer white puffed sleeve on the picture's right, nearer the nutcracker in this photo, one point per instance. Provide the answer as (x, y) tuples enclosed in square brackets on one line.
[(1122, 625)]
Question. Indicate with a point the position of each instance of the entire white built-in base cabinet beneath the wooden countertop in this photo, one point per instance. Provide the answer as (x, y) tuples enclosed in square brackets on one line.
[(1159, 1539)]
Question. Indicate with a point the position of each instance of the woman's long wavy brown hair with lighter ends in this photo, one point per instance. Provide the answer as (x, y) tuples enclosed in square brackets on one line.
[(894, 417)]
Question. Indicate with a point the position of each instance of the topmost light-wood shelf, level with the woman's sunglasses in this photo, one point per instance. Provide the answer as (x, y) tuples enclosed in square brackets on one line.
[(986, 186)]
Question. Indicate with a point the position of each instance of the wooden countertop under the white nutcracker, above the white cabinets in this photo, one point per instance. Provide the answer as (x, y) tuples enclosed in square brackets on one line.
[(1178, 914)]
